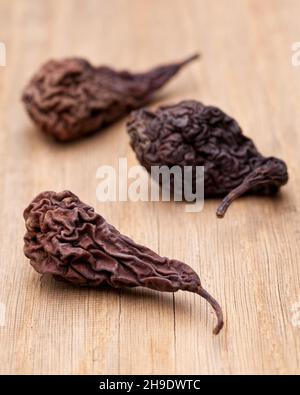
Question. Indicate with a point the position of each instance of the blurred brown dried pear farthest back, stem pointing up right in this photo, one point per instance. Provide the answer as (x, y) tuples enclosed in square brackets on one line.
[(70, 98)]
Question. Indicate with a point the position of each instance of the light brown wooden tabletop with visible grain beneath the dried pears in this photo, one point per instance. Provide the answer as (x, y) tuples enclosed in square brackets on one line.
[(250, 261)]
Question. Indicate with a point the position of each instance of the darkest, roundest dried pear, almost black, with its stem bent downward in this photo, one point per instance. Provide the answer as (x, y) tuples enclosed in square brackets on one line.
[(192, 134)]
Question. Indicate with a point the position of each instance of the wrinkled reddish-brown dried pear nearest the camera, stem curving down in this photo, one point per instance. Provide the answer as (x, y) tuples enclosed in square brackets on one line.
[(67, 239)]
